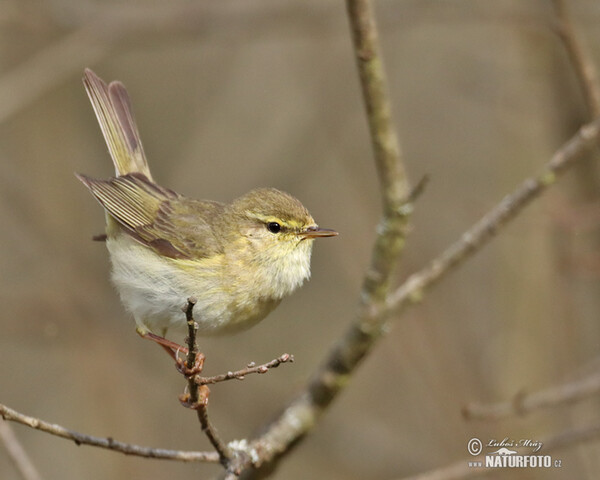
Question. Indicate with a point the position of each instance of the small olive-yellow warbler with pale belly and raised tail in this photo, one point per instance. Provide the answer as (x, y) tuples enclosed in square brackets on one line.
[(238, 260)]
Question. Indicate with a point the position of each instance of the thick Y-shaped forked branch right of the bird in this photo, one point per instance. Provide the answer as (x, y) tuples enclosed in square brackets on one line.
[(377, 305)]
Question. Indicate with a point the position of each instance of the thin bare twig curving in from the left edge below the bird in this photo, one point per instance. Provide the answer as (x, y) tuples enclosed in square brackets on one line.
[(107, 442)]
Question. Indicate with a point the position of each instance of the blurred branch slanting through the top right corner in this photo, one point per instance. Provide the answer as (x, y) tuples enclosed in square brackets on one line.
[(584, 67)]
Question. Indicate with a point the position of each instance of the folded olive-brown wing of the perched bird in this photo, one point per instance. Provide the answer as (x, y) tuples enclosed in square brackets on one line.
[(170, 224)]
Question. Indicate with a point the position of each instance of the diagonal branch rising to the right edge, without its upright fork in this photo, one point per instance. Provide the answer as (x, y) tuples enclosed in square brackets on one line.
[(302, 413)]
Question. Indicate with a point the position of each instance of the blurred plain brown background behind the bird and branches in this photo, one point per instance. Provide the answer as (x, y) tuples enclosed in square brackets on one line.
[(234, 95)]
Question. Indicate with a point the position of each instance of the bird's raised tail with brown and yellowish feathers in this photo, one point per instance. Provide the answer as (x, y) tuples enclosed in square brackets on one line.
[(115, 115)]
